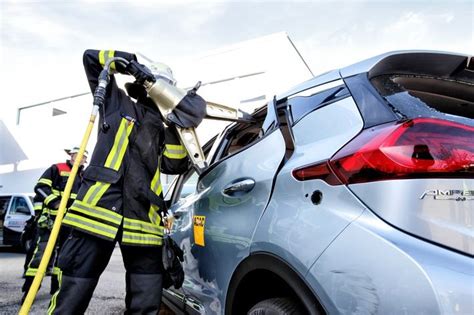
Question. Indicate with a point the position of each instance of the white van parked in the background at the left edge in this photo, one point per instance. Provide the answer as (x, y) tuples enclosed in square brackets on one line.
[(15, 210)]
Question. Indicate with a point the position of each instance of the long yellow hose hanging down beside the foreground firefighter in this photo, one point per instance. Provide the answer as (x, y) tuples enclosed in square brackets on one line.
[(25, 308)]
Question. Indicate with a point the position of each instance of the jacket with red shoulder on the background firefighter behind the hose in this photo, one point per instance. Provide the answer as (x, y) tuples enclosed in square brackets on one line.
[(49, 191)]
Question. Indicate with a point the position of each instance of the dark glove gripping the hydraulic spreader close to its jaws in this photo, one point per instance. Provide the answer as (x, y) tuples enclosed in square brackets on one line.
[(190, 111)]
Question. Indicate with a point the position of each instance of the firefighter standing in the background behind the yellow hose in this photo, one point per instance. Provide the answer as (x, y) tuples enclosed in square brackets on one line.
[(48, 193)]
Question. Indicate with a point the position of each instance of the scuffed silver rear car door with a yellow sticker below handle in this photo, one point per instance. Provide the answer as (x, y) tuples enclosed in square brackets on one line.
[(216, 223)]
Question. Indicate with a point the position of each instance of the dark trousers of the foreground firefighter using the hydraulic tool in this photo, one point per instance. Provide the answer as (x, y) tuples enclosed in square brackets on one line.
[(82, 260)]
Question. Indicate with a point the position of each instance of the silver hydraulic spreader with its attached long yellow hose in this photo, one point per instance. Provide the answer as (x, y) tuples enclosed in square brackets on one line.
[(167, 96)]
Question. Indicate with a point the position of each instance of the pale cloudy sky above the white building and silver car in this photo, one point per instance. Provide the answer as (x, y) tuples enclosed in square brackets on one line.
[(42, 41)]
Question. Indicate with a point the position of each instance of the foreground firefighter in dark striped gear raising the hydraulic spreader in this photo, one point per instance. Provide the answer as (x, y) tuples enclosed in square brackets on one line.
[(121, 199)]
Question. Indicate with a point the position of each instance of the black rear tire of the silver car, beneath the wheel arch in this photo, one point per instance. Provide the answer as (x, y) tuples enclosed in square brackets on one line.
[(277, 306)]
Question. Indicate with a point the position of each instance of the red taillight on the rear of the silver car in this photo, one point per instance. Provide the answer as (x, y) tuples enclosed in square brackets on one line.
[(419, 148)]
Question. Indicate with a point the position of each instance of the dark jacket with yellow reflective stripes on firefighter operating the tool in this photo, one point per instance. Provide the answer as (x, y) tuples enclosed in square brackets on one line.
[(121, 186)]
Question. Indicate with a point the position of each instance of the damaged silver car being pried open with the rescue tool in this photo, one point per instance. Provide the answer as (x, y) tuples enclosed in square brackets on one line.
[(352, 193)]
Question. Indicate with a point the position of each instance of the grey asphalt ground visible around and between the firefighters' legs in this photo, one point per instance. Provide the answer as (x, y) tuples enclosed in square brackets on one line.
[(109, 296)]
